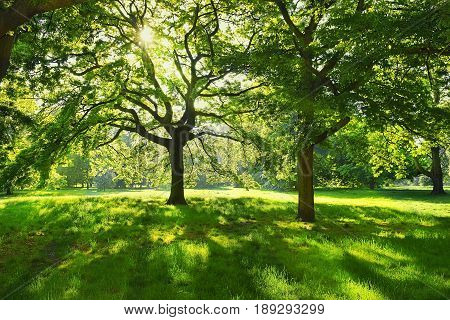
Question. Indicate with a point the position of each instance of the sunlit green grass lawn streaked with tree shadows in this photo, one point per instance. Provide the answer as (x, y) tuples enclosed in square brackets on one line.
[(228, 244)]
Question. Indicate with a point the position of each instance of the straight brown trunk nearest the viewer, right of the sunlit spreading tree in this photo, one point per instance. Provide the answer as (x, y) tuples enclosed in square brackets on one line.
[(305, 164)]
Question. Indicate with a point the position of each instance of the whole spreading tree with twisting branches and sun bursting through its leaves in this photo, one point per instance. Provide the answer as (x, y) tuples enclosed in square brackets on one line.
[(149, 69)]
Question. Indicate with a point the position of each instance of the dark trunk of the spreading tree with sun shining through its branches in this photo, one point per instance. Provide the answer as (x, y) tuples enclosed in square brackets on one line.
[(177, 168)]
